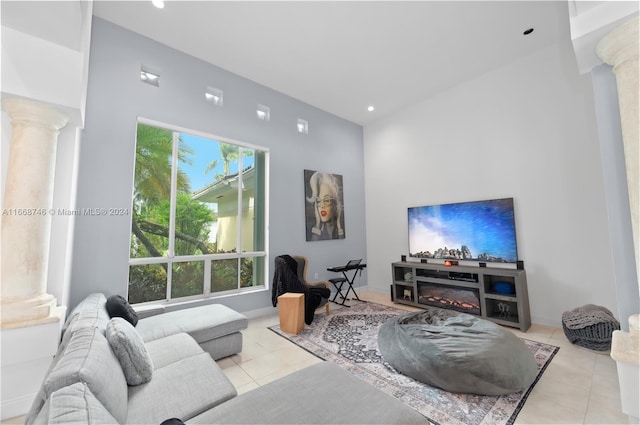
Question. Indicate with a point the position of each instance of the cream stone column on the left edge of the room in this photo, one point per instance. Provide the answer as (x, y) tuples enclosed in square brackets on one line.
[(26, 216)]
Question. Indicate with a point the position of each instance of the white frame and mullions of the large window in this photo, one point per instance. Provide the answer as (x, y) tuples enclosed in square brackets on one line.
[(170, 259)]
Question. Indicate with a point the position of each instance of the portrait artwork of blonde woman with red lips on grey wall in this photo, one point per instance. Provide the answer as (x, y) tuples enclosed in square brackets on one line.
[(325, 210)]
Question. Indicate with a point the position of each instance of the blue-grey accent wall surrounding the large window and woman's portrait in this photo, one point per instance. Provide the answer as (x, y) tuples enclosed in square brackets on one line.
[(116, 98)]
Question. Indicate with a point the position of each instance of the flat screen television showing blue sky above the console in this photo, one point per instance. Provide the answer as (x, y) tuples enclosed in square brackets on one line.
[(483, 231)]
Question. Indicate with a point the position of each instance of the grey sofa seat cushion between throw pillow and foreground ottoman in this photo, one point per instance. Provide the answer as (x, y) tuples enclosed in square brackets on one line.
[(181, 389)]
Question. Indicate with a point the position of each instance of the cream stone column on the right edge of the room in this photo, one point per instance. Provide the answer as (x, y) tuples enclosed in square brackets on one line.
[(620, 49)]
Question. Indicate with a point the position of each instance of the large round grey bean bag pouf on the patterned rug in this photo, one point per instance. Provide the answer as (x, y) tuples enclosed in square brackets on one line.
[(457, 352)]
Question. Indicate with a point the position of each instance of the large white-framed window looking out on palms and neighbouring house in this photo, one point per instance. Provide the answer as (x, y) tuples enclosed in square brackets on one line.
[(199, 213)]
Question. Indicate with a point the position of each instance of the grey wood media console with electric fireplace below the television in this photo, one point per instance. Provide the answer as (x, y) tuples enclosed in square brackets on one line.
[(493, 293)]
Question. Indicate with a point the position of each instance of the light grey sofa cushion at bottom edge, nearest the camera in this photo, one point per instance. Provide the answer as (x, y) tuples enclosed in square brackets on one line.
[(74, 404)]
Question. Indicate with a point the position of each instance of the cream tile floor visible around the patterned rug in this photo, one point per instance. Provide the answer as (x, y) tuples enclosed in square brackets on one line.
[(580, 386)]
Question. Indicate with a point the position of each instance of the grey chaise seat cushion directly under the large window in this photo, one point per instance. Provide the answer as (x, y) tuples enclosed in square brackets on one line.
[(203, 323)]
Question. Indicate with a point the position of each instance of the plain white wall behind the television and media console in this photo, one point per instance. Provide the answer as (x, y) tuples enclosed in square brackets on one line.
[(526, 131)]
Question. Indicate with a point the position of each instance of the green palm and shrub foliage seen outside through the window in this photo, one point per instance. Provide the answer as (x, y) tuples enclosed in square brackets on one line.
[(193, 219)]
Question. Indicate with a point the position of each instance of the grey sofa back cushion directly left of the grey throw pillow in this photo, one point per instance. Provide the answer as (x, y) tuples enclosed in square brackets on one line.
[(88, 358)]
